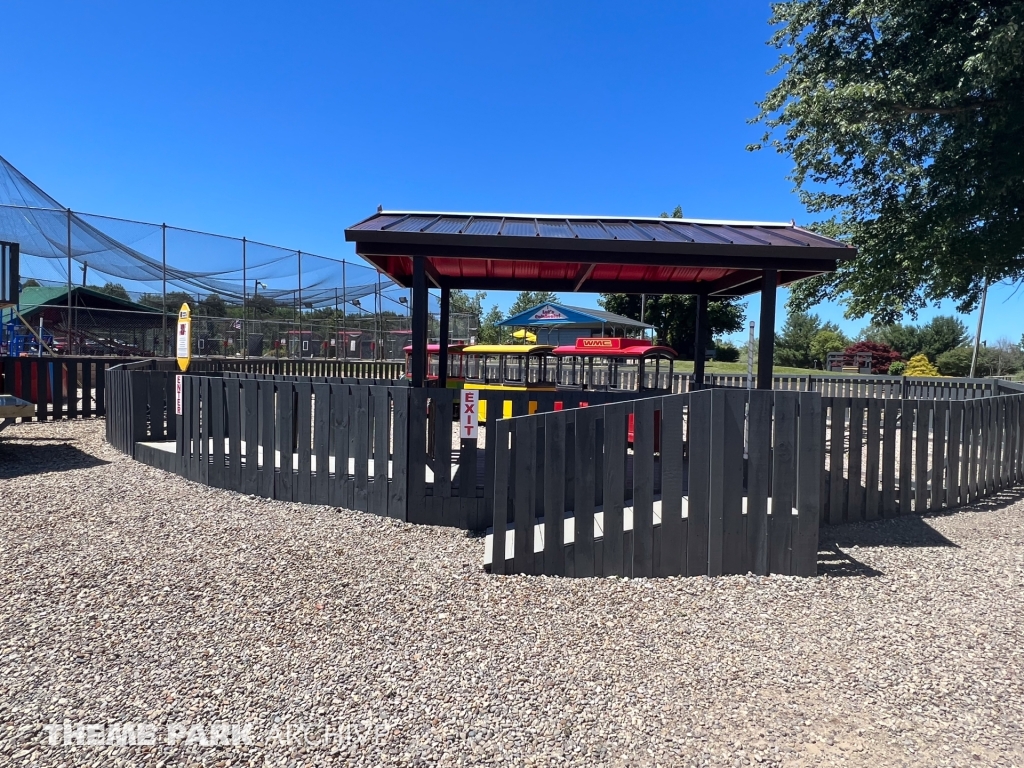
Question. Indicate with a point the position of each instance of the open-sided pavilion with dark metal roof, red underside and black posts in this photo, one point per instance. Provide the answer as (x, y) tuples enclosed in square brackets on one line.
[(591, 254)]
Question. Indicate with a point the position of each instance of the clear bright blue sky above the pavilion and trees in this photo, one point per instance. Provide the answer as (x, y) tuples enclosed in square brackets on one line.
[(285, 123)]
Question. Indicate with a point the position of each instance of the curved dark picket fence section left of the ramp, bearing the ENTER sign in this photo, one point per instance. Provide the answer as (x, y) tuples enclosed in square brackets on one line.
[(388, 449)]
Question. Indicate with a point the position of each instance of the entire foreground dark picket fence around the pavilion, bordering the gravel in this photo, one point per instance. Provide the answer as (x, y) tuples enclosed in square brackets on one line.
[(694, 492)]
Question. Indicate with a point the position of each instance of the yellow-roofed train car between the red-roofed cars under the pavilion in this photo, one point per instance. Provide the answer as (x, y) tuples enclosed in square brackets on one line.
[(516, 368)]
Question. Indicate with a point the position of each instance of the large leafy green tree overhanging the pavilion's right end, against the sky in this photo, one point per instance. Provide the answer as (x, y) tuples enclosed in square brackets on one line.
[(906, 124)]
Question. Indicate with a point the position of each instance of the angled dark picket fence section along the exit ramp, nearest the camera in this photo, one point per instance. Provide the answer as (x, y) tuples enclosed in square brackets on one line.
[(691, 496)]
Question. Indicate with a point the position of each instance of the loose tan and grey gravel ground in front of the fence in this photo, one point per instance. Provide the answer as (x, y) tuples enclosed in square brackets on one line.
[(129, 595)]
